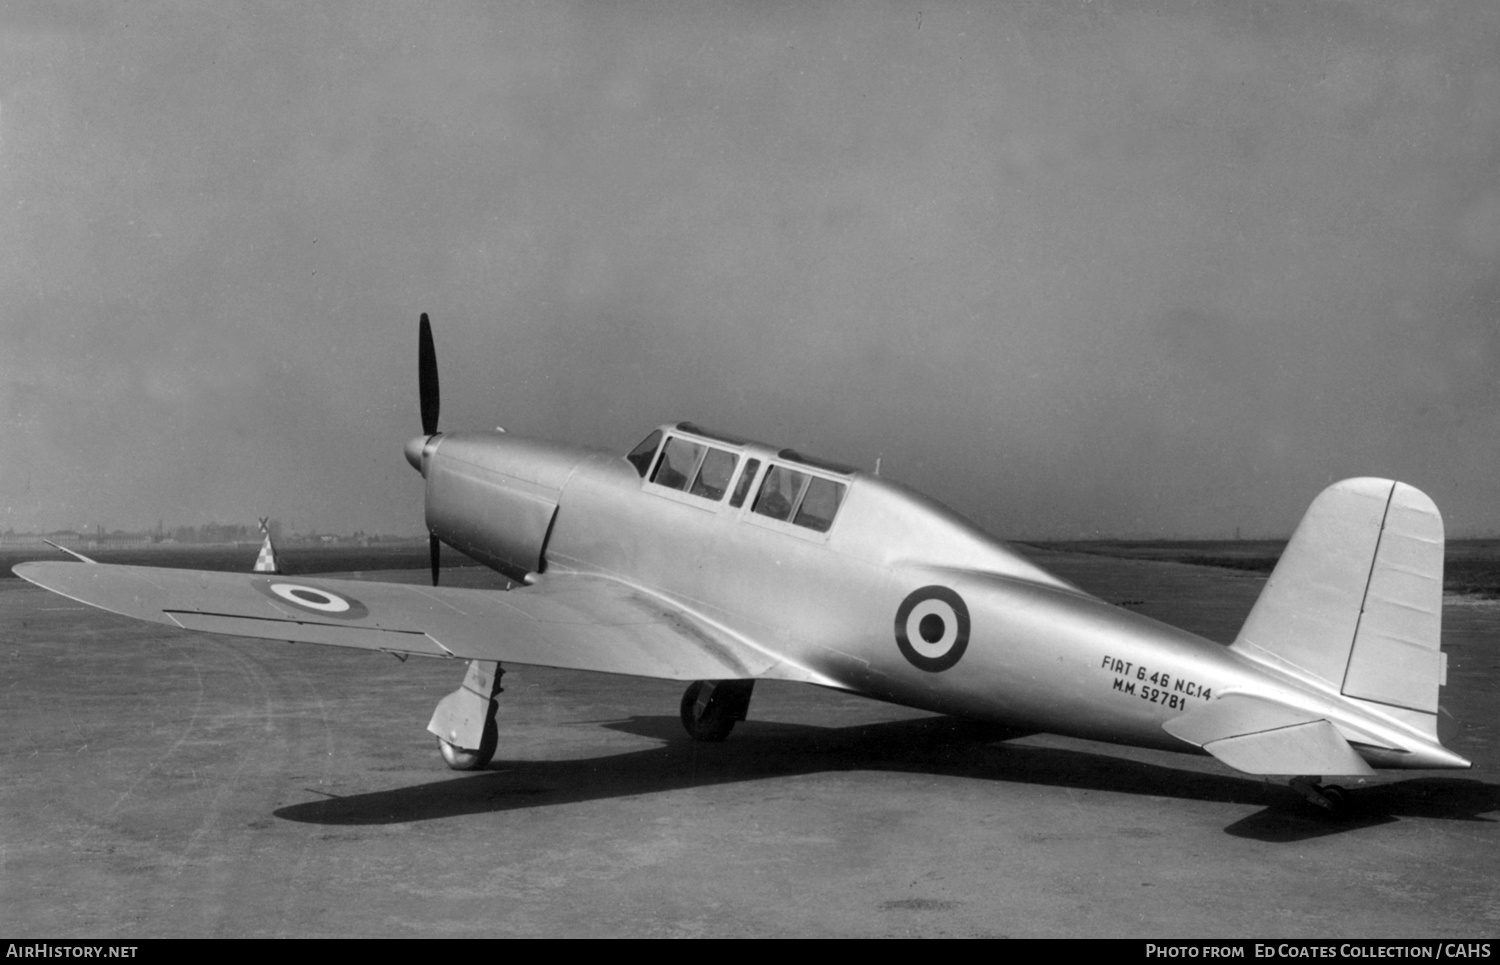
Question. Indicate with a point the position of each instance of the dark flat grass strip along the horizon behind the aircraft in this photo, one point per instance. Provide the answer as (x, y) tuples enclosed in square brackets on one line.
[(1472, 567)]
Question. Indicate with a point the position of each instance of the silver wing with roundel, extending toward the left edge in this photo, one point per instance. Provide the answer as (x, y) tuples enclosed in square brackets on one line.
[(565, 621)]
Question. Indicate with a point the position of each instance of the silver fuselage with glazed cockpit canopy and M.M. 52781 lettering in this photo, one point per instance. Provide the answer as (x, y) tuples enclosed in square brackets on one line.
[(857, 583)]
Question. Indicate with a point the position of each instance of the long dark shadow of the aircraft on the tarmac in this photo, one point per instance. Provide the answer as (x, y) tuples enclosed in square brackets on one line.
[(944, 747)]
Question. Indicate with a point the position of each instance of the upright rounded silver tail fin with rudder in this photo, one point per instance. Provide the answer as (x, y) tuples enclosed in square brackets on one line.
[(1357, 600)]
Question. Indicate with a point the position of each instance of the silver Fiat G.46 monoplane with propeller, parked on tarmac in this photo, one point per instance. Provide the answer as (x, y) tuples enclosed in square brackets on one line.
[(718, 561)]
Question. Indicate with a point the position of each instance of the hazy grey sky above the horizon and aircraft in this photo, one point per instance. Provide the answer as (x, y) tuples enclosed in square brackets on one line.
[(1078, 269)]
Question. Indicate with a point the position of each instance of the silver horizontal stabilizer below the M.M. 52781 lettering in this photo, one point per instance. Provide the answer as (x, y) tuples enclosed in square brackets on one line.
[(1264, 738)]
